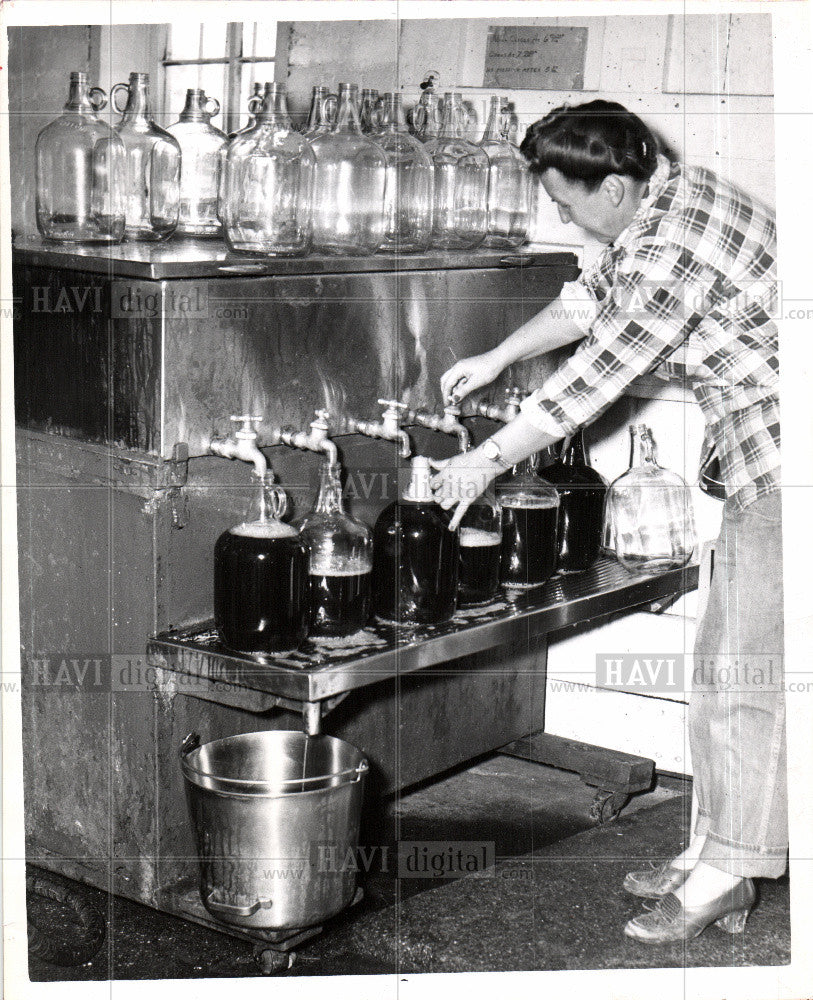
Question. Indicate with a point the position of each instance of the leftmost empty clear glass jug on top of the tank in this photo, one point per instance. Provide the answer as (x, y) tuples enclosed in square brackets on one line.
[(80, 172)]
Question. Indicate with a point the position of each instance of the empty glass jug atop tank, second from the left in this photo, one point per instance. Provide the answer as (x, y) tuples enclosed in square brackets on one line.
[(153, 166)]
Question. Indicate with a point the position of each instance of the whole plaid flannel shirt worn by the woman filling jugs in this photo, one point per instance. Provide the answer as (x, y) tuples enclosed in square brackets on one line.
[(687, 291)]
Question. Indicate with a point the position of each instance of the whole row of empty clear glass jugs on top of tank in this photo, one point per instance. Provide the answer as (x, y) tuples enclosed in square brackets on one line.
[(273, 191)]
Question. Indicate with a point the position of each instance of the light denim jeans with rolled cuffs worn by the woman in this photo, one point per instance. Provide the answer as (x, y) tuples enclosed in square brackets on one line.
[(737, 705)]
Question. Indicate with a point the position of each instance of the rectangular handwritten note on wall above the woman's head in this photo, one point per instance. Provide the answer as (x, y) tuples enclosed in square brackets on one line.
[(535, 58)]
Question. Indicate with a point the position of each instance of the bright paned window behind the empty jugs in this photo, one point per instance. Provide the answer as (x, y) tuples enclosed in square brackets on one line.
[(225, 60)]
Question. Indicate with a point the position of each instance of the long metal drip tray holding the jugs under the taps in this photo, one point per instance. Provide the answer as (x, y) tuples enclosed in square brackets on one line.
[(321, 670)]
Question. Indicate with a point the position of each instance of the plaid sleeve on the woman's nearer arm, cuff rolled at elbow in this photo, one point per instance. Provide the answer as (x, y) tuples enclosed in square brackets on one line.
[(659, 296)]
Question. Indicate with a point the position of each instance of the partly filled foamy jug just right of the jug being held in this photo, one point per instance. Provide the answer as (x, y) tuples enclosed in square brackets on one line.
[(480, 540)]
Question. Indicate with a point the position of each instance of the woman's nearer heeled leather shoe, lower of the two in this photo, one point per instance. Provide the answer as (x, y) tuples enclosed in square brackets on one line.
[(668, 920)]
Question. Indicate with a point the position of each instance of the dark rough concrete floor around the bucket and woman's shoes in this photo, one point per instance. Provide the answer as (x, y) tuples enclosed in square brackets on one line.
[(553, 900)]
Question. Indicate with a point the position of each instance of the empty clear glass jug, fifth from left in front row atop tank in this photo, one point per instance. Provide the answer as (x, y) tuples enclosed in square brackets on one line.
[(348, 199)]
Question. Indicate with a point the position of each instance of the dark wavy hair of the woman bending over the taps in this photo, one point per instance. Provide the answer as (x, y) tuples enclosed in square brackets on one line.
[(590, 141)]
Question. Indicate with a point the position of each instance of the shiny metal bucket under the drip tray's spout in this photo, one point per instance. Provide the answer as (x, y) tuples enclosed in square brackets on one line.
[(276, 820)]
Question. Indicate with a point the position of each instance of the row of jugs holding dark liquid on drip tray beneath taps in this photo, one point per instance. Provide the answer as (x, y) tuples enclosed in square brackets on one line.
[(275, 584)]
